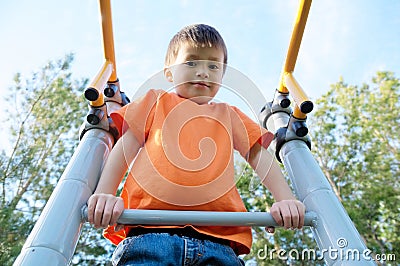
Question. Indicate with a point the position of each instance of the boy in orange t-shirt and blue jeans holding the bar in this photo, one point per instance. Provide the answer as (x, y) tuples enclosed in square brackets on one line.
[(183, 149)]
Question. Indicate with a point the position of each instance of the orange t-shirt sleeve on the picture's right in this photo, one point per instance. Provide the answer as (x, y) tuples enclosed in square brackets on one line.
[(246, 132)]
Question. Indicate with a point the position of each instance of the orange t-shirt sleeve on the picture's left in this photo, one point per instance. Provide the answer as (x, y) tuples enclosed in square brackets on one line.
[(137, 116)]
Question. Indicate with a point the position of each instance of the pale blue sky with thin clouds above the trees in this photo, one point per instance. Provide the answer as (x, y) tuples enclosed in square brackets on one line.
[(352, 39)]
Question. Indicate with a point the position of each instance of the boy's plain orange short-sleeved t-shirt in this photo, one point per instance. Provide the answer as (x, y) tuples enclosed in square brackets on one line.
[(186, 161)]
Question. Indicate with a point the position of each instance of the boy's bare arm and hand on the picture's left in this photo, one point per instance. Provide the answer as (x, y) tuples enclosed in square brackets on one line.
[(104, 208)]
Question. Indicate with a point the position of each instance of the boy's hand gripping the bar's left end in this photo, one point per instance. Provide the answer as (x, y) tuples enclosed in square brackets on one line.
[(104, 210)]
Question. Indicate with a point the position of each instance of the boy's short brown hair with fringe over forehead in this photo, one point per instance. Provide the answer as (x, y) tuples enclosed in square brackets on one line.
[(196, 35)]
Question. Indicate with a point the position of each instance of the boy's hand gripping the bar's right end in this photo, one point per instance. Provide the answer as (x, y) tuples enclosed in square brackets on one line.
[(287, 213)]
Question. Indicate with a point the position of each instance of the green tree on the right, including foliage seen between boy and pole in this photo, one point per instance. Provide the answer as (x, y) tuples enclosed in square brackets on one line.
[(355, 139)]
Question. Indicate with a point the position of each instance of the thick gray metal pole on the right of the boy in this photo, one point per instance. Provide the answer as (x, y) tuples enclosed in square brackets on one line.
[(335, 233)]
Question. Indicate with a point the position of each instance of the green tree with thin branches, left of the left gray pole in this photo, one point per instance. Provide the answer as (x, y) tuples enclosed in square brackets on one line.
[(44, 113)]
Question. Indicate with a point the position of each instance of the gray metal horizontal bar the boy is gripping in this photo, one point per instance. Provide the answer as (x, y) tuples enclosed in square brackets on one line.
[(200, 218)]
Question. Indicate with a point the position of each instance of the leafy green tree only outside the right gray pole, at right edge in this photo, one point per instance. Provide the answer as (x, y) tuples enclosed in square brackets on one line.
[(357, 143)]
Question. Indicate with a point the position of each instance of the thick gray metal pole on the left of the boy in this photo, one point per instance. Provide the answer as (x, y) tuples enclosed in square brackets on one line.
[(56, 233)]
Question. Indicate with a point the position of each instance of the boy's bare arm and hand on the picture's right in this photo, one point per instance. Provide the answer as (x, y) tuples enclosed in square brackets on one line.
[(287, 210)]
